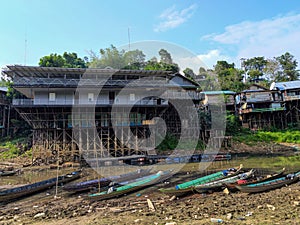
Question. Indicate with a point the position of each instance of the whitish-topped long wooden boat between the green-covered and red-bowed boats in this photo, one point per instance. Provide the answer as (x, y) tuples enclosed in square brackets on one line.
[(219, 184)]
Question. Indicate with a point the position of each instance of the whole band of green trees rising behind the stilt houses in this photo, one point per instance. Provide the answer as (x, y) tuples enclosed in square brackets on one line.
[(224, 75)]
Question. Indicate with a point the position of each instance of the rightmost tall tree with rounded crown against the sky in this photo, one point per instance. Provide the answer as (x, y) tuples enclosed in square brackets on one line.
[(288, 66)]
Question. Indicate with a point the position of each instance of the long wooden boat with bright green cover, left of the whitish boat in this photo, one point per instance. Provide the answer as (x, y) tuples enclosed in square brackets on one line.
[(187, 188)]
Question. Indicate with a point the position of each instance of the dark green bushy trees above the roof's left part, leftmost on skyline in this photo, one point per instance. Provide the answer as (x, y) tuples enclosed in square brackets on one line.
[(67, 60)]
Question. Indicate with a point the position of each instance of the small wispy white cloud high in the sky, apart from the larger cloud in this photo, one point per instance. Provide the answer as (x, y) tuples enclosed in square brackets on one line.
[(172, 18)]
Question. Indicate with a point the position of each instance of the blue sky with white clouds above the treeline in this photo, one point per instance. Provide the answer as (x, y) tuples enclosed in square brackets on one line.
[(207, 30)]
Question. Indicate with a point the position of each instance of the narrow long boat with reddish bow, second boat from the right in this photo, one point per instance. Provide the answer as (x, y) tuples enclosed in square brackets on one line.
[(277, 174)]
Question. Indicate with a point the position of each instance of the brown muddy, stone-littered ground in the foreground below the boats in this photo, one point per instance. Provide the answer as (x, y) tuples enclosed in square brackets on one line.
[(280, 206)]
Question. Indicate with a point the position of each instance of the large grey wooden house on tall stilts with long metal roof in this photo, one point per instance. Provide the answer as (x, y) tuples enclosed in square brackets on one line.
[(105, 112)]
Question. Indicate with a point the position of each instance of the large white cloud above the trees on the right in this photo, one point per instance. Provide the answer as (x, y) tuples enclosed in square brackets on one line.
[(270, 37)]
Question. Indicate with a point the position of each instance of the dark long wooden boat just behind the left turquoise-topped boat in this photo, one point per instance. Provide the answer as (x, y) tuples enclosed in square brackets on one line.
[(105, 181)]
